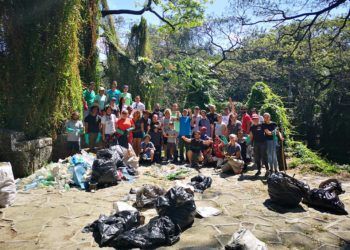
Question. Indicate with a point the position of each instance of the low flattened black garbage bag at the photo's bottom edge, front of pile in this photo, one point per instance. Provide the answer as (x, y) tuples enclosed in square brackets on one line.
[(160, 231)]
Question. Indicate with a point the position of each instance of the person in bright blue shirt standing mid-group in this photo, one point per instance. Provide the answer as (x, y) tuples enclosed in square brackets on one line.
[(185, 130)]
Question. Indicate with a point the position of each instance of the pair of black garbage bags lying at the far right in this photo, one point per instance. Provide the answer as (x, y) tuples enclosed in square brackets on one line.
[(287, 191)]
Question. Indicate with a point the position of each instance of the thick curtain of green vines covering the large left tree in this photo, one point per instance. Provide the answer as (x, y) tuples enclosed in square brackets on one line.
[(42, 84)]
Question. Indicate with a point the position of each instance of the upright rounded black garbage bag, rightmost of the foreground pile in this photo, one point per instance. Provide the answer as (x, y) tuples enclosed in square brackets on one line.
[(179, 205)]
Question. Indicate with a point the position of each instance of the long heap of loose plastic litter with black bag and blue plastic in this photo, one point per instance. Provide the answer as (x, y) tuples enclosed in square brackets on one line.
[(107, 167)]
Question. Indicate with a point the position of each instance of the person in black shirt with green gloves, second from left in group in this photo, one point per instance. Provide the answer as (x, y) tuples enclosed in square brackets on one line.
[(92, 122)]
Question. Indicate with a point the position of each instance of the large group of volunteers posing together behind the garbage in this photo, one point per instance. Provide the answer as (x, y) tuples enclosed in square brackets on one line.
[(224, 139)]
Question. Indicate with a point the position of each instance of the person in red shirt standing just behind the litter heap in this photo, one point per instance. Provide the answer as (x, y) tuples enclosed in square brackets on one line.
[(123, 128)]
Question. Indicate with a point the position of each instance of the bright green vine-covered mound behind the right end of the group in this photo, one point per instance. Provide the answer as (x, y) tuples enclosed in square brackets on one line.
[(262, 98)]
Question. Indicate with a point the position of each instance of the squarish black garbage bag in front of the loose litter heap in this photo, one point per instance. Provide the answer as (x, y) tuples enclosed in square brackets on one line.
[(104, 172)]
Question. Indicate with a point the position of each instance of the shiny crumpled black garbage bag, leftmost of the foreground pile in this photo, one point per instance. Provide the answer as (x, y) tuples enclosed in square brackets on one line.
[(107, 228)]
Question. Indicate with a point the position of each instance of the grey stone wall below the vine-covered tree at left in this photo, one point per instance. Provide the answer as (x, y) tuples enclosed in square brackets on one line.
[(25, 155)]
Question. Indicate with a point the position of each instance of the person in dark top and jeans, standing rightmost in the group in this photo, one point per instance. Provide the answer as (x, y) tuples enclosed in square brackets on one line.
[(271, 133)]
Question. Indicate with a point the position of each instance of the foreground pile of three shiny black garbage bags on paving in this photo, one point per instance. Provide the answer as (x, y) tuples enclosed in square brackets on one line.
[(176, 210)]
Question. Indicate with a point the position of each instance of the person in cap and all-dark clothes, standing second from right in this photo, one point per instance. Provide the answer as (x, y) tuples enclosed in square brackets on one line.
[(257, 136)]
